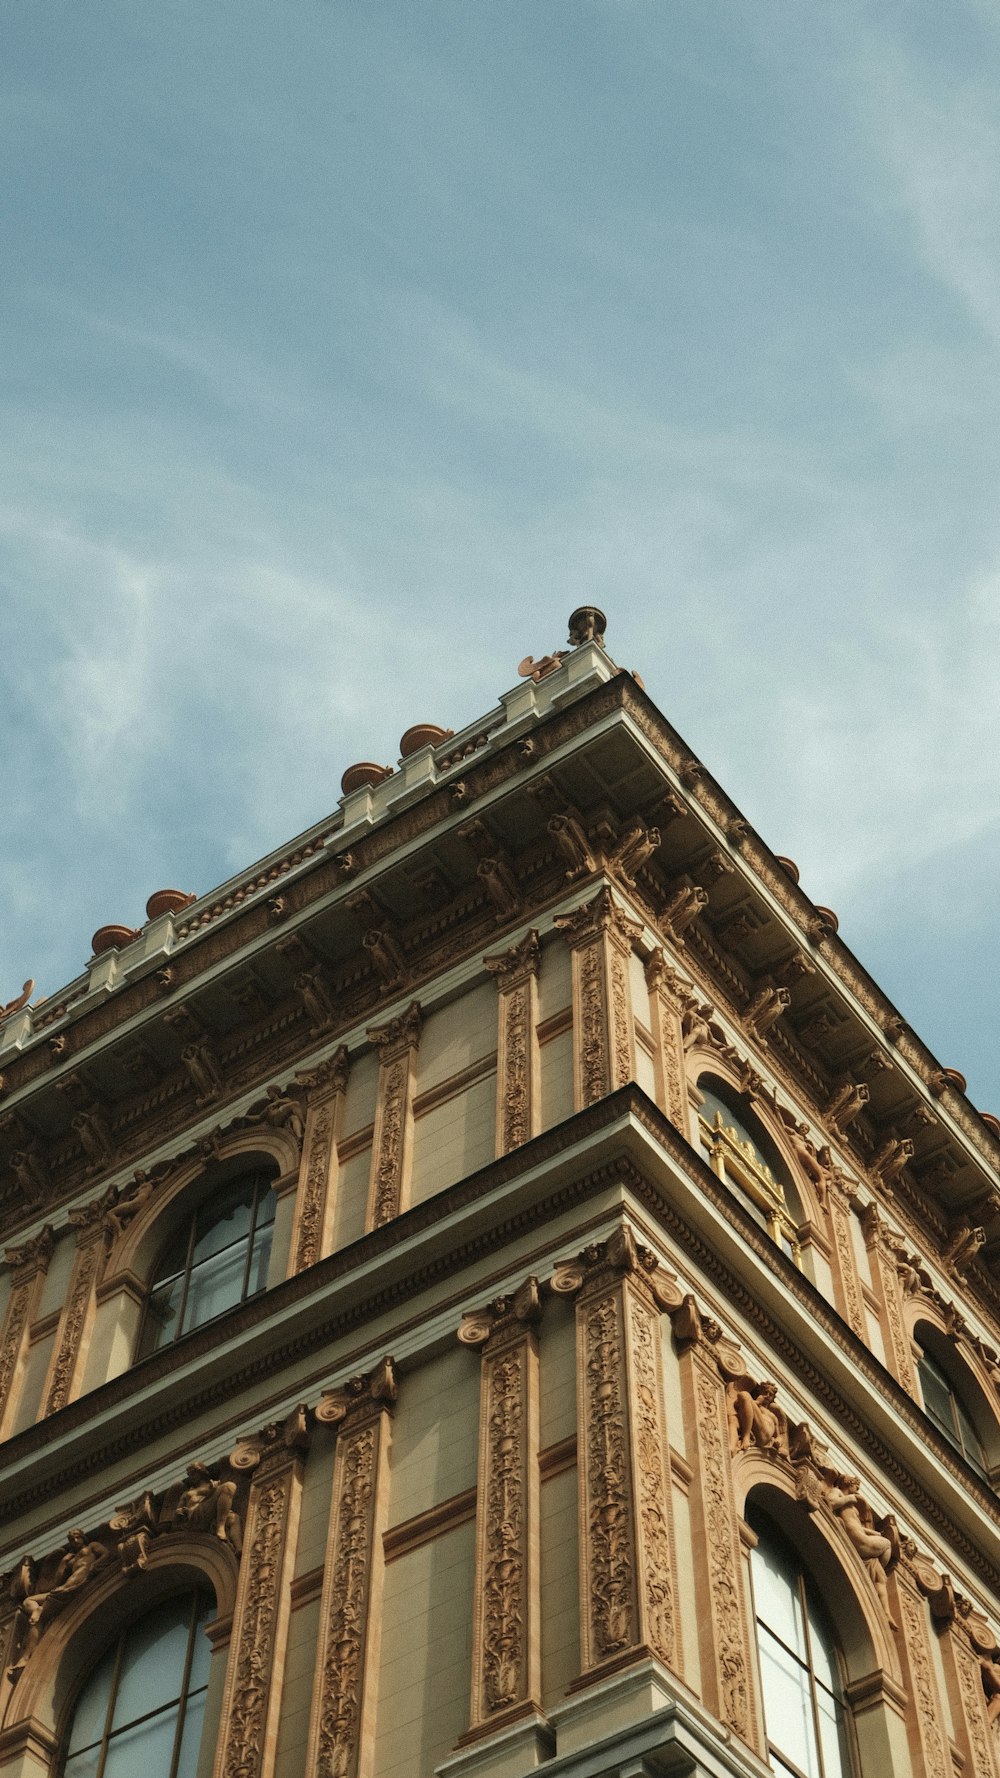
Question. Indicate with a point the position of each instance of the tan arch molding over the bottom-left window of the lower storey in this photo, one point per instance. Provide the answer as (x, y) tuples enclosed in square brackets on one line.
[(74, 1642)]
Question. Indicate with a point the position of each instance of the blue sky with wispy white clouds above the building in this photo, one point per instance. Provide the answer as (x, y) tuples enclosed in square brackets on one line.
[(350, 346)]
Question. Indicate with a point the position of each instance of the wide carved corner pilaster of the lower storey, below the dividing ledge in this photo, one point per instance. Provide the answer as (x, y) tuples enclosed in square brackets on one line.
[(627, 1562)]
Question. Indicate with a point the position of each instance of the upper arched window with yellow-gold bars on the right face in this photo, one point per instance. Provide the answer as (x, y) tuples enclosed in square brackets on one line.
[(741, 1151)]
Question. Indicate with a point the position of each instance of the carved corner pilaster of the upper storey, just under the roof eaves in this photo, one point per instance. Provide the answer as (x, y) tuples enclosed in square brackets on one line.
[(604, 1036)]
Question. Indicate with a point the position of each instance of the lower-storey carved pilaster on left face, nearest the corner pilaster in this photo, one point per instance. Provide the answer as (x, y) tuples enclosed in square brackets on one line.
[(506, 1626)]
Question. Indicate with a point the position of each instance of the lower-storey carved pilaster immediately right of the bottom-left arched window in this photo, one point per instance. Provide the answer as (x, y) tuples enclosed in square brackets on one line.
[(264, 1599)]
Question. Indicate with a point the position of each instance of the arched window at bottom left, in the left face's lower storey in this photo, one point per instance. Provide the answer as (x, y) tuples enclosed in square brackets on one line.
[(143, 1706)]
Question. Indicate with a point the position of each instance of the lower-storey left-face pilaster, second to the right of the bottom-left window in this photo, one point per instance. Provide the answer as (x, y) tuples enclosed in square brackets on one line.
[(343, 1729)]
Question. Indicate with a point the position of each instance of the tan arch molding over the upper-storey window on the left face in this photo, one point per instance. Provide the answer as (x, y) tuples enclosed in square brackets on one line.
[(143, 1240)]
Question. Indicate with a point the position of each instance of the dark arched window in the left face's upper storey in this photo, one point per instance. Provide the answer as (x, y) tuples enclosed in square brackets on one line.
[(216, 1260)]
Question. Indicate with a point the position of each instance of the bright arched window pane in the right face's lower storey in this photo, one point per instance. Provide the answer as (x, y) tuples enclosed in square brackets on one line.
[(800, 1665)]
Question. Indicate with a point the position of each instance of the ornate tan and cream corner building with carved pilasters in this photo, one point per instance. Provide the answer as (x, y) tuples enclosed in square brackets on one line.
[(497, 1288)]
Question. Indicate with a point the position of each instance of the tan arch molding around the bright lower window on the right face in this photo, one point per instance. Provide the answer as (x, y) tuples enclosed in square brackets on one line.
[(875, 1688)]
